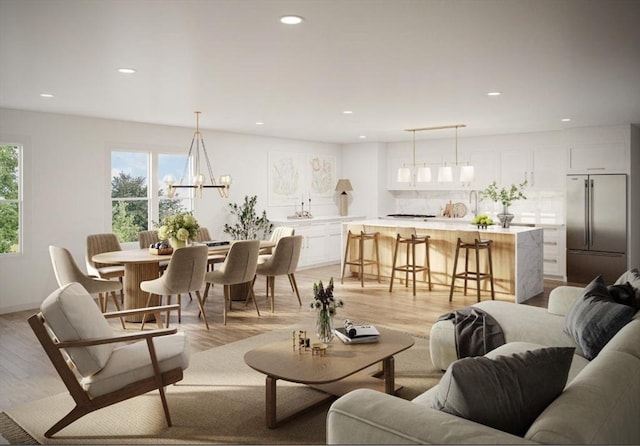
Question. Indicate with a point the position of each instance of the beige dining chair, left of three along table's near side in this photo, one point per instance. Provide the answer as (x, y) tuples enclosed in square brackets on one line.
[(184, 274)]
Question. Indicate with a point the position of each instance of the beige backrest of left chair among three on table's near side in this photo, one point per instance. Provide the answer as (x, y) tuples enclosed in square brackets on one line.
[(186, 269)]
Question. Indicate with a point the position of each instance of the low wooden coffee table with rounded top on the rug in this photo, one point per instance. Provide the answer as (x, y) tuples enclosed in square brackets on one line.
[(335, 373)]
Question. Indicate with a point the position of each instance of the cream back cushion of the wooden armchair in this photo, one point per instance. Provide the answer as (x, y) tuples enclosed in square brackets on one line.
[(72, 318)]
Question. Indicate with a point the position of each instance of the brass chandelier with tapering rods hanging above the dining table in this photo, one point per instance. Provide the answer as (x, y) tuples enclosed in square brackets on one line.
[(199, 179)]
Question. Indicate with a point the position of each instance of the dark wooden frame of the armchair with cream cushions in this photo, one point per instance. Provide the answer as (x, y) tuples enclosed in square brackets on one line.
[(84, 403)]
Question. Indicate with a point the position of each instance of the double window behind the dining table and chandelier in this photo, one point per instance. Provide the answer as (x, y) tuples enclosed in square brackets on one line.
[(134, 205)]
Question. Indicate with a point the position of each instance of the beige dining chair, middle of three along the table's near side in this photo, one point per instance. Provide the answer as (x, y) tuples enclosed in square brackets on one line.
[(239, 267)]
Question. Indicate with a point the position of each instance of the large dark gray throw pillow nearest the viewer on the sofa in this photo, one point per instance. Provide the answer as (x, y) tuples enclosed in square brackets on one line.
[(506, 393)]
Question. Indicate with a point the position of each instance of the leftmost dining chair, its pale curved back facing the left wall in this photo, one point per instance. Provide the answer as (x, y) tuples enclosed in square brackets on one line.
[(67, 271)]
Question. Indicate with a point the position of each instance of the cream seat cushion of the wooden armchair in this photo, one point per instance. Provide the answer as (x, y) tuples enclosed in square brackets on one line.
[(131, 363)]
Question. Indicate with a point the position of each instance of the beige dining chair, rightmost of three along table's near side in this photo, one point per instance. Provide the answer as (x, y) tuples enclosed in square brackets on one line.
[(284, 261)]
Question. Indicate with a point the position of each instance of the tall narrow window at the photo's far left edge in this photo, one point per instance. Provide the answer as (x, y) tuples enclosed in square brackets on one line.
[(10, 198)]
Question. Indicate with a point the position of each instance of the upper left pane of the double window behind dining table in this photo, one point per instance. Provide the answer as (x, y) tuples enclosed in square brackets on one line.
[(129, 174)]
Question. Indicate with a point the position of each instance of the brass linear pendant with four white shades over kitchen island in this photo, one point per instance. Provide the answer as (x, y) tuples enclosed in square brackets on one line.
[(445, 172)]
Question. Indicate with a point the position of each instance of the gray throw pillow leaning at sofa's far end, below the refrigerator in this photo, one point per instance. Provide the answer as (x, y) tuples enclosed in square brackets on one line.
[(594, 318)]
